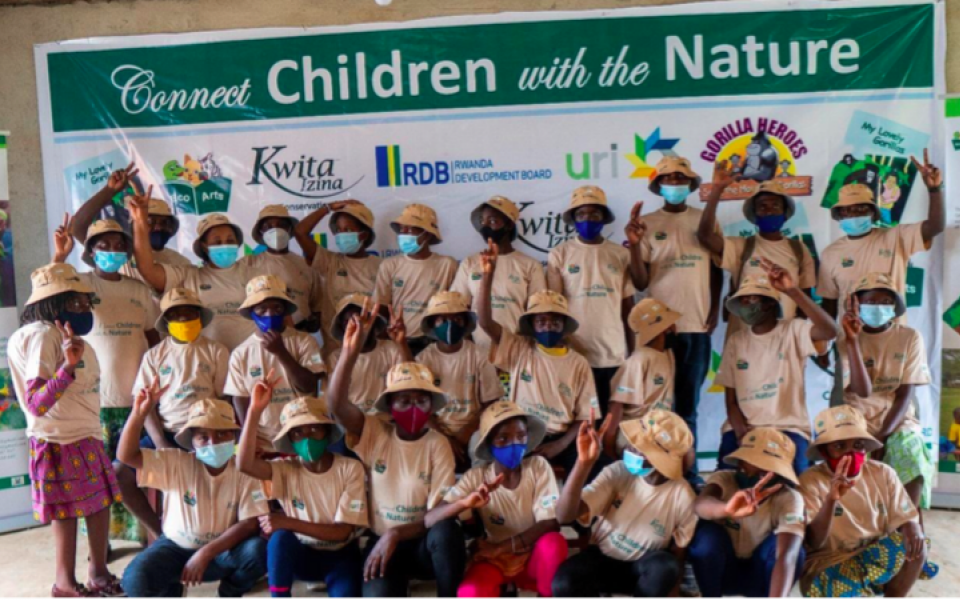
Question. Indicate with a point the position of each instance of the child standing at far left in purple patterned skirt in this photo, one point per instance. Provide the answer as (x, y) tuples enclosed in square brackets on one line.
[(56, 377)]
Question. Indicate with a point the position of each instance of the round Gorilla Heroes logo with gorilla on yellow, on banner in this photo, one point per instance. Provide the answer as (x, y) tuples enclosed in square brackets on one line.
[(757, 149)]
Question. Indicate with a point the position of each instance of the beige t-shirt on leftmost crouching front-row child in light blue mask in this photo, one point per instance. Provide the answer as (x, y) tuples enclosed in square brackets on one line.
[(197, 506)]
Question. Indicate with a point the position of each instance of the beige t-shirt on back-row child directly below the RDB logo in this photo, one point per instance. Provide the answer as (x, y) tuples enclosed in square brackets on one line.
[(408, 283)]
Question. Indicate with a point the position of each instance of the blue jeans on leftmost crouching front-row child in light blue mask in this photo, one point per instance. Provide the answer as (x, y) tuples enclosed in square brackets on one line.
[(156, 571)]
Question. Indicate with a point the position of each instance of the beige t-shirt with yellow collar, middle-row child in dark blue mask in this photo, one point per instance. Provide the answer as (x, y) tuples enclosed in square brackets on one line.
[(558, 390)]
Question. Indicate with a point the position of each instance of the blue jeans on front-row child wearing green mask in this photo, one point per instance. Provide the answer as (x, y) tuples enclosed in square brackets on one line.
[(288, 559)]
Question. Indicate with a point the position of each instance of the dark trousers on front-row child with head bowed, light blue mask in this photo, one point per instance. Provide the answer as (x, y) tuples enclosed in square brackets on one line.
[(592, 573)]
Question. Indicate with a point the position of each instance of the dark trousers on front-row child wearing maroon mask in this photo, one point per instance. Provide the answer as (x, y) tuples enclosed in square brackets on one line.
[(440, 555)]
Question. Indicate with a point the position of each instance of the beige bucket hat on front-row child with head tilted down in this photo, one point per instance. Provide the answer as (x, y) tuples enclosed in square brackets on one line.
[(663, 438)]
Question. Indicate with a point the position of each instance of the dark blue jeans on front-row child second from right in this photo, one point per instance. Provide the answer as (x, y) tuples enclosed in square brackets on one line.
[(720, 572)]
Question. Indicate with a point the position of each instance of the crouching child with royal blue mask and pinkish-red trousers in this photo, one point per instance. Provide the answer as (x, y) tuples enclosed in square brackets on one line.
[(514, 498)]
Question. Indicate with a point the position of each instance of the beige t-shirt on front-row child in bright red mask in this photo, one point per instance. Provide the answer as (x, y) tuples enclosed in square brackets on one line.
[(876, 506)]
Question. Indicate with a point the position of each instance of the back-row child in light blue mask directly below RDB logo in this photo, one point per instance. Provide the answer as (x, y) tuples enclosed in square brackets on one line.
[(406, 283)]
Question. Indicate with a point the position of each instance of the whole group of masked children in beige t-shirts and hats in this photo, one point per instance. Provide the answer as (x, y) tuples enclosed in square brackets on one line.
[(428, 436)]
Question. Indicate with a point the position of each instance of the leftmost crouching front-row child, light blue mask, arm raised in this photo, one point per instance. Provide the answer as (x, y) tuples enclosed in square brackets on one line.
[(210, 509)]
